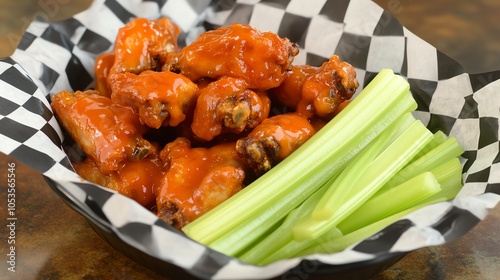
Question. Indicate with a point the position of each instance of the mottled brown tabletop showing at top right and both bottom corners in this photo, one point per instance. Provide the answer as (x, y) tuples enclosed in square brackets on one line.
[(54, 242)]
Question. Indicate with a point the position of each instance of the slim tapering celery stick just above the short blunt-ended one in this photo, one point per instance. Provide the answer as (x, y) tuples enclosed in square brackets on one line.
[(445, 151)]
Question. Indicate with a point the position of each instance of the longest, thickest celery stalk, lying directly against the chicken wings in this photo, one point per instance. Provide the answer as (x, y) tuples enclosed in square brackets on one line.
[(273, 195)]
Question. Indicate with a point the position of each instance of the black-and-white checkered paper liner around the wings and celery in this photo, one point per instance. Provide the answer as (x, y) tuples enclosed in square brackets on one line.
[(58, 56)]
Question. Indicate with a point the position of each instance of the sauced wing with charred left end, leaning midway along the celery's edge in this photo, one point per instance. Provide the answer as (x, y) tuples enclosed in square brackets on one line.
[(273, 140)]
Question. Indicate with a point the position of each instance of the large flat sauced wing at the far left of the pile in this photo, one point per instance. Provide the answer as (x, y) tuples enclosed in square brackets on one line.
[(109, 133)]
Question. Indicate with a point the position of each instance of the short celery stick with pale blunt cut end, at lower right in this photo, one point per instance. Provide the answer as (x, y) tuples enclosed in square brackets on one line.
[(397, 199)]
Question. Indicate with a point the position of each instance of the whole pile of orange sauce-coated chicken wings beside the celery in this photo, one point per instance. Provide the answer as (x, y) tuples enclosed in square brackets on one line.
[(180, 130)]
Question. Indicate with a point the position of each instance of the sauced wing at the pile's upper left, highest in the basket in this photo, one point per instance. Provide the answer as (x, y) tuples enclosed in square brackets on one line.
[(144, 44)]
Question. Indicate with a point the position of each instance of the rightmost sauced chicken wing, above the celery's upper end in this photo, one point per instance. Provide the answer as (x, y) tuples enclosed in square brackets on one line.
[(314, 91)]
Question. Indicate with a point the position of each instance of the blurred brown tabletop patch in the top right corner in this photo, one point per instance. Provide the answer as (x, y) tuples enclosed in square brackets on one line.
[(465, 30)]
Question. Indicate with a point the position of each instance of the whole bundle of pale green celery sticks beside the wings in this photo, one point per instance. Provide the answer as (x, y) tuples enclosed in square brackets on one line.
[(372, 164)]
